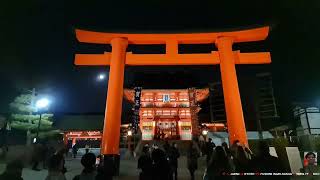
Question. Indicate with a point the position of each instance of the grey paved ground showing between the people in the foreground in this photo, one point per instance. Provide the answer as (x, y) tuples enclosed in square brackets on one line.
[(128, 170)]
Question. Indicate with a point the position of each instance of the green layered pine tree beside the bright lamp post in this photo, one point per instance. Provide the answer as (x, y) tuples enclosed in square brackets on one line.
[(24, 115)]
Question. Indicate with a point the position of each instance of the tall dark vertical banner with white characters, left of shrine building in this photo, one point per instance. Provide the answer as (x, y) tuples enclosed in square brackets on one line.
[(136, 109)]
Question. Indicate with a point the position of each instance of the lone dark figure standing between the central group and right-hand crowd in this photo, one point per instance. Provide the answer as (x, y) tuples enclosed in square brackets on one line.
[(192, 160)]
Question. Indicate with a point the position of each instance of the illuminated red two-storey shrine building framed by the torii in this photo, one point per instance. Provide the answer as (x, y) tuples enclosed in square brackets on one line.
[(169, 114)]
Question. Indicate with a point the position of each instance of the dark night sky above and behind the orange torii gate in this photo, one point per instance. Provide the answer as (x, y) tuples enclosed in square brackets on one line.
[(38, 46)]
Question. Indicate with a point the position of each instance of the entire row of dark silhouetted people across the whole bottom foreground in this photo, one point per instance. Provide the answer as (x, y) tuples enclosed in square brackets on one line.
[(161, 163)]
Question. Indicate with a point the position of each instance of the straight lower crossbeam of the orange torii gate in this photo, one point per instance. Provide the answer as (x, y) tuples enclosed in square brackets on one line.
[(171, 59)]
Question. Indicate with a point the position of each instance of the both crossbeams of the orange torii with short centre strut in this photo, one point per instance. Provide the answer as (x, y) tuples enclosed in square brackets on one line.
[(172, 41)]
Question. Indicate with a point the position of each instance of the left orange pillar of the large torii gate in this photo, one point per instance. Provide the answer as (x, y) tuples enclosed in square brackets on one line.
[(112, 118)]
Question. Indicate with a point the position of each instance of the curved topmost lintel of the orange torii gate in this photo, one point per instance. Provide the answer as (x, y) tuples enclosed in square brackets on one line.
[(247, 35)]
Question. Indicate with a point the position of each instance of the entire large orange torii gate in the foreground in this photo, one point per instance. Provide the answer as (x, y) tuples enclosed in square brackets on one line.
[(119, 58)]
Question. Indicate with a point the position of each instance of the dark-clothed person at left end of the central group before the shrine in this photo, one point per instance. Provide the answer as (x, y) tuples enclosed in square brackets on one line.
[(145, 164)]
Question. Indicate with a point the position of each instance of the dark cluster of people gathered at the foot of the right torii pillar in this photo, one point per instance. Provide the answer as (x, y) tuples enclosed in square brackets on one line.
[(224, 160)]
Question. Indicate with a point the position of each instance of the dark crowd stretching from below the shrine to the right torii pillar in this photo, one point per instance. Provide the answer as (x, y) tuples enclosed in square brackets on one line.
[(162, 163)]
